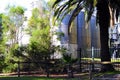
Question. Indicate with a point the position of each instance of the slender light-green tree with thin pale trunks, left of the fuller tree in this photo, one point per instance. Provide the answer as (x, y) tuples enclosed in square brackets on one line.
[(16, 19)]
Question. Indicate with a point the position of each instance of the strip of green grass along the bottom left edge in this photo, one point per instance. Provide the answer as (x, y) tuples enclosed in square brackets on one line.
[(29, 78)]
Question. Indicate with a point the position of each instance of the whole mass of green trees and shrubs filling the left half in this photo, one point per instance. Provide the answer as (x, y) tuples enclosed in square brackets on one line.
[(40, 44)]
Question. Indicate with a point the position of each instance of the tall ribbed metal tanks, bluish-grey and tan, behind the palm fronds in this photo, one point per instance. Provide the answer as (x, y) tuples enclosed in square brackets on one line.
[(82, 35)]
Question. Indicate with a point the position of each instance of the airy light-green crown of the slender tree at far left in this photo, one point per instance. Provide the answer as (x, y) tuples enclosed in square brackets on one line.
[(12, 21)]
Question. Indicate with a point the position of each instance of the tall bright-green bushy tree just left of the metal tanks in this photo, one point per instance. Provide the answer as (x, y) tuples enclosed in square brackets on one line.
[(39, 28)]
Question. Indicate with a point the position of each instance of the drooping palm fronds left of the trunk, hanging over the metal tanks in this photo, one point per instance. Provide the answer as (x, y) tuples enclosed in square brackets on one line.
[(73, 7)]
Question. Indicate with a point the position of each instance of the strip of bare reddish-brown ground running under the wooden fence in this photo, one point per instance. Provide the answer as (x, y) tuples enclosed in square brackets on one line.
[(81, 76)]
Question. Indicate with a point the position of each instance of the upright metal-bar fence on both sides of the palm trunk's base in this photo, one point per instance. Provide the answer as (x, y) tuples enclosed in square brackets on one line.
[(92, 56)]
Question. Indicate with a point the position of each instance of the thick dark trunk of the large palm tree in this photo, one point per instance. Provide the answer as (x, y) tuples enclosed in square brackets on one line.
[(104, 21)]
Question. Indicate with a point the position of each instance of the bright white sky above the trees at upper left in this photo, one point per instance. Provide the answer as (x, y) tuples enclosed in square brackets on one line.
[(24, 3)]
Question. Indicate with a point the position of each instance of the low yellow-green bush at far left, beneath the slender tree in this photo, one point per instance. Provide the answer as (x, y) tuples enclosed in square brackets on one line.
[(9, 57)]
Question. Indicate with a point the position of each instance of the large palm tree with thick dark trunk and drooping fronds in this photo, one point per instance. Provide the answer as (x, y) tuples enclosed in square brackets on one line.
[(63, 7)]
